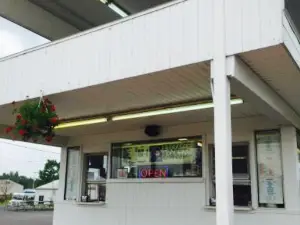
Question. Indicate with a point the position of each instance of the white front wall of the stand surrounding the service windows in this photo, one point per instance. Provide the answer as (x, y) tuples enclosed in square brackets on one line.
[(175, 202)]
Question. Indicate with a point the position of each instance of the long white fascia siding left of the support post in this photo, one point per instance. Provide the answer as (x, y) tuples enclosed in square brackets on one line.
[(155, 40)]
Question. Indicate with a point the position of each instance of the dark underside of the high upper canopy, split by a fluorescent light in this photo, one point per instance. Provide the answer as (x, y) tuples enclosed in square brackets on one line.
[(90, 13)]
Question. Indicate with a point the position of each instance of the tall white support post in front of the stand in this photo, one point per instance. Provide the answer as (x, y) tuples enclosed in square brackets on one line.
[(222, 120)]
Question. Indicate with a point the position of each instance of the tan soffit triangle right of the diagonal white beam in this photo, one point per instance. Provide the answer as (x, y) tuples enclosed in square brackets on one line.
[(276, 67)]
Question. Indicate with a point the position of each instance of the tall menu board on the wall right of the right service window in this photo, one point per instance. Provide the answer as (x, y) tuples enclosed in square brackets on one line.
[(270, 174)]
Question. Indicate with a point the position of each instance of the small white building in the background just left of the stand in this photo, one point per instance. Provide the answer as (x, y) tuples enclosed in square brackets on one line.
[(47, 192)]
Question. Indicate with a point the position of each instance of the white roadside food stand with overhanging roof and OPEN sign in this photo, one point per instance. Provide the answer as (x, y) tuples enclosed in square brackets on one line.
[(214, 76)]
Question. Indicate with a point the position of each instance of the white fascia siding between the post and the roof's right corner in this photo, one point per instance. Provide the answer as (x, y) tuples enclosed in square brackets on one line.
[(253, 24)]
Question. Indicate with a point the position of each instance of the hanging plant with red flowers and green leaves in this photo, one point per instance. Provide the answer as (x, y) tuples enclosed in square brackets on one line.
[(35, 119)]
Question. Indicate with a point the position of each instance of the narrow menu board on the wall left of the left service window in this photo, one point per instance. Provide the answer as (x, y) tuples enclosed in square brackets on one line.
[(72, 179)]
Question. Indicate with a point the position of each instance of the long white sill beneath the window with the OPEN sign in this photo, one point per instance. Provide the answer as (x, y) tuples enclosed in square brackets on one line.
[(158, 180)]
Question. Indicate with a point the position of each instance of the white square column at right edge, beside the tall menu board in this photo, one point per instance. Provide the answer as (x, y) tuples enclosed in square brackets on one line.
[(290, 168)]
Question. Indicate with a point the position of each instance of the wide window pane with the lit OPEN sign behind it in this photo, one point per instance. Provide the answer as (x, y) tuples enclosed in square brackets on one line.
[(161, 159)]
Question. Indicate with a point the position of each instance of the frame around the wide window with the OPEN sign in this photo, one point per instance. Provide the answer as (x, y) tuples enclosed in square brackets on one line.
[(110, 160)]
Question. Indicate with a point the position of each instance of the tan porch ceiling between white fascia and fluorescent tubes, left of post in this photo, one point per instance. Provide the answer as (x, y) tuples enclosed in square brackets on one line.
[(162, 88)]
